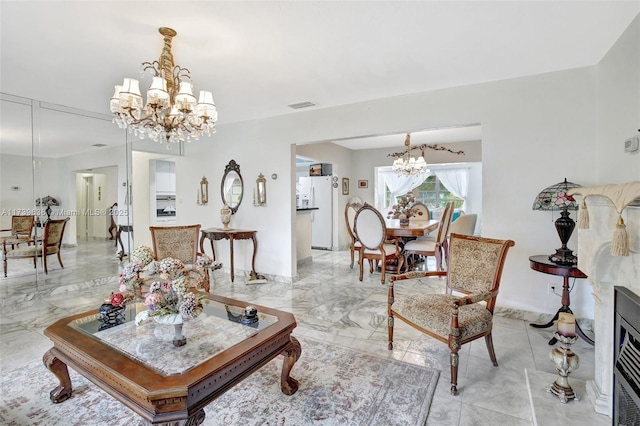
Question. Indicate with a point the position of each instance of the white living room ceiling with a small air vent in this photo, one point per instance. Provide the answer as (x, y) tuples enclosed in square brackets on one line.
[(259, 57)]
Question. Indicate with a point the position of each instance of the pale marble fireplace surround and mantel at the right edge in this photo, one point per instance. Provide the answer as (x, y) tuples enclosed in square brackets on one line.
[(605, 271)]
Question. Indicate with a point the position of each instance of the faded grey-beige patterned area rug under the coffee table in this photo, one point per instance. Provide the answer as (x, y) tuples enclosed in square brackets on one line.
[(338, 386)]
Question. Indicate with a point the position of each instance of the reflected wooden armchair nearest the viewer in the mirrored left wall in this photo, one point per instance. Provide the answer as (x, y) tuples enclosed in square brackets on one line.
[(43, 247)]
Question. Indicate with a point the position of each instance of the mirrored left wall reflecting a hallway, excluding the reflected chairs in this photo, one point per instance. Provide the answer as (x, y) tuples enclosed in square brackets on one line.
[(79, 159)]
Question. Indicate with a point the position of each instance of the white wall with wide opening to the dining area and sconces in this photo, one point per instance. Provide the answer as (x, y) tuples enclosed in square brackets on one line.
[(536, 131)]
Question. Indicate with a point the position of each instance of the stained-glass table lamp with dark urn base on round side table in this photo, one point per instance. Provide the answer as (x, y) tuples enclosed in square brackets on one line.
[(555, 197)]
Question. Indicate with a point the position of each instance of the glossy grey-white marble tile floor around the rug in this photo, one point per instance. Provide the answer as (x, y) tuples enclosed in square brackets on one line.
[(329, 304)]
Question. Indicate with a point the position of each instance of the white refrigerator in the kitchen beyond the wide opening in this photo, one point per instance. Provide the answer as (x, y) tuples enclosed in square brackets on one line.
[(319, 191)]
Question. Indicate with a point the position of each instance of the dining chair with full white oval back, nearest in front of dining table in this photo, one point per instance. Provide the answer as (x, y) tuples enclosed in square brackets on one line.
[(371, 231)]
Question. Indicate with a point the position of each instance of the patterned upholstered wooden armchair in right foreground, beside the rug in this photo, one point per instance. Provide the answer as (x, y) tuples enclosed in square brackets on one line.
[(465, 312)]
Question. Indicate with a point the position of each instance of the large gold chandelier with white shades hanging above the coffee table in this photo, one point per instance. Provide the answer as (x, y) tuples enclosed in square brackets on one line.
[(171, 113)]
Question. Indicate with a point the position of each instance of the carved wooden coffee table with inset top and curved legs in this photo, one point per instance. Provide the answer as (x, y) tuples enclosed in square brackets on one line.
[(140, 367)]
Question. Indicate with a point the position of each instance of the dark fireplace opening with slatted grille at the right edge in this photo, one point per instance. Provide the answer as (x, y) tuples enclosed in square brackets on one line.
[(626, 374)]
